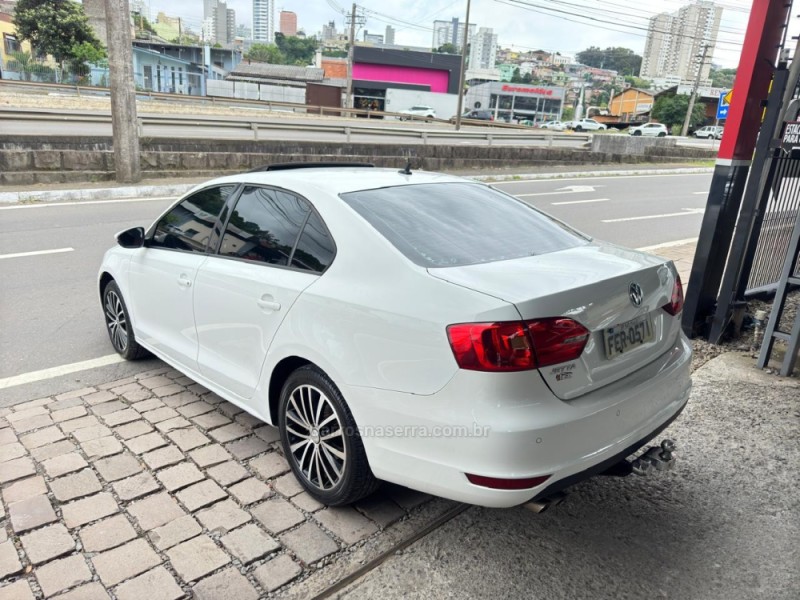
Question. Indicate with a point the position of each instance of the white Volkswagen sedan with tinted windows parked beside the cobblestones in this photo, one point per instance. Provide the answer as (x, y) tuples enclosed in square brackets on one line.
[(408, 327)]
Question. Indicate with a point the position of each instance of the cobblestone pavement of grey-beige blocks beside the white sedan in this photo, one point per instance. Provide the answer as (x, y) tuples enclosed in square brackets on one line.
[(153, 487)]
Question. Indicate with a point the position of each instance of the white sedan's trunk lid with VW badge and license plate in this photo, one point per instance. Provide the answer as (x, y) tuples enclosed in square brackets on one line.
[(592, 285)]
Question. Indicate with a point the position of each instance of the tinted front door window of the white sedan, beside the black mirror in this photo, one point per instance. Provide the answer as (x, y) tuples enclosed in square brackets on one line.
[(189, 225)]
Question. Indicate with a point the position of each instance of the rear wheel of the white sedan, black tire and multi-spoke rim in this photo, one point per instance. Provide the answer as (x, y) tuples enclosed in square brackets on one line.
[(330, 464)]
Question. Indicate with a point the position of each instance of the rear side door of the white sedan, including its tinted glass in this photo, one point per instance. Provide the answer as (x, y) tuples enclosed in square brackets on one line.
[(273, 247)]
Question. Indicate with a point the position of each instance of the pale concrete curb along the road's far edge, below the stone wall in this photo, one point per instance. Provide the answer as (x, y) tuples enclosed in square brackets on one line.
[(152, 191)]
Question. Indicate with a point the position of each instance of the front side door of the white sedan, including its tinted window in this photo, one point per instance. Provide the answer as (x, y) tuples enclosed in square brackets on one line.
[(162, 273)]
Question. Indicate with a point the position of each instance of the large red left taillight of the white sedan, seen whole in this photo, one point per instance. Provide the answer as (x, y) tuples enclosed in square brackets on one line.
[(517, 345)]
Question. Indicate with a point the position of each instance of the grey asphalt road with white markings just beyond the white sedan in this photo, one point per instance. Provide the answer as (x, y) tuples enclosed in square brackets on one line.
[(50, 307)]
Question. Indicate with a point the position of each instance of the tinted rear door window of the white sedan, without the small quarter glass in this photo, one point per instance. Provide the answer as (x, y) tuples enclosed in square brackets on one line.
[(264, 226)]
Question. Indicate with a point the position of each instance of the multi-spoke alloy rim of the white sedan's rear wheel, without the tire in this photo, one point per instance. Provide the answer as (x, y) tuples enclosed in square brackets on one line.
[(316, 437)]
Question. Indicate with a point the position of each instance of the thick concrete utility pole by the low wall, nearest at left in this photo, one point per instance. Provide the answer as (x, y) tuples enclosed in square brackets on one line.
[(123, 95)]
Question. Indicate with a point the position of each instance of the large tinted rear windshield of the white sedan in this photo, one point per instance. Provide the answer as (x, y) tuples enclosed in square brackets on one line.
[(456, 224)]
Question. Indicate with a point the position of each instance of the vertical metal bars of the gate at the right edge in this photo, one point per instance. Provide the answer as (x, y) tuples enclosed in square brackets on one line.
[(774, 224)]
